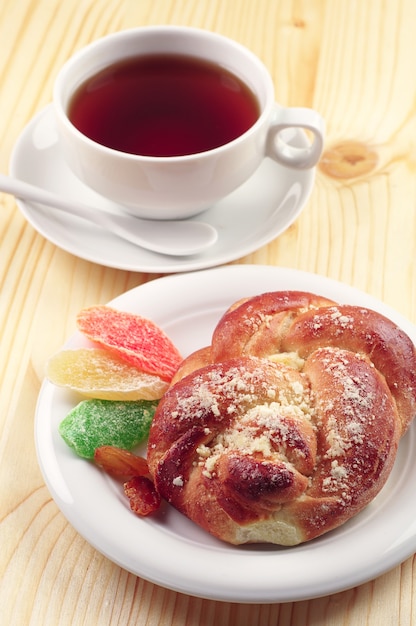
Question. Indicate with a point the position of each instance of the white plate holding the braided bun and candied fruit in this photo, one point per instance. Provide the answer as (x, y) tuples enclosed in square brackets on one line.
[(172, 551)]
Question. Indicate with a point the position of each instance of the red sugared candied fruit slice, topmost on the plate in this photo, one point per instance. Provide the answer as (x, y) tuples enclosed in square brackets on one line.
[(135, 339)]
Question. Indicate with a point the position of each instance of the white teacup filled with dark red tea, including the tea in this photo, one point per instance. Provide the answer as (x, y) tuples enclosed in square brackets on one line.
[(167, 120)]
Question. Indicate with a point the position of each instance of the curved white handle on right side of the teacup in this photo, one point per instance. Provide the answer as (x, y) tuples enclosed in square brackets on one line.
[(296, 156)]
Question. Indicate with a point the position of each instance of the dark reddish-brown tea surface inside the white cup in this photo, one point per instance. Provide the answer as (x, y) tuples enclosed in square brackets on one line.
[(163, 105)]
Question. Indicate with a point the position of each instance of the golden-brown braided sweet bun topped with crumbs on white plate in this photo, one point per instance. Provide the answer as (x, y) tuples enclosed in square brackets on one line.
[(289, 423)]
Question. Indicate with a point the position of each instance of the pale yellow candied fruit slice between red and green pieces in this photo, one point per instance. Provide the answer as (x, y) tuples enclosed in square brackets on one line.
[(96, 373)]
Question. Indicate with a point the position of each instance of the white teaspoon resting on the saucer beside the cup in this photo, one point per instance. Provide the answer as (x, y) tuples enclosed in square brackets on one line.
[(171, 237)]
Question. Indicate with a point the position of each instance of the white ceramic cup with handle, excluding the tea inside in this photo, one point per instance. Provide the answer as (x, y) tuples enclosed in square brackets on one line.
[(180, 186)]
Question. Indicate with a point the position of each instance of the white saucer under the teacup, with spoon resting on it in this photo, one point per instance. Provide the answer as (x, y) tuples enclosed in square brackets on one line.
[(249, 218)]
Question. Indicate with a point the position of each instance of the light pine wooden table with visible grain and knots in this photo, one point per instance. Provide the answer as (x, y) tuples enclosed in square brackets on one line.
[(351, 60)]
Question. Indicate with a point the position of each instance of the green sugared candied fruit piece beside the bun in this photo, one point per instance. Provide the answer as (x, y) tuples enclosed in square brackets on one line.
[(94, 423)]
